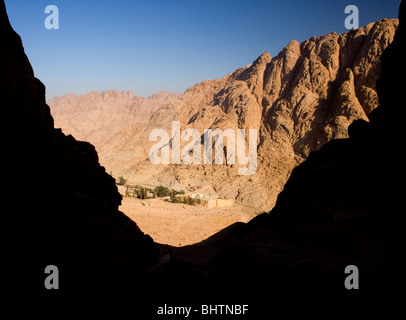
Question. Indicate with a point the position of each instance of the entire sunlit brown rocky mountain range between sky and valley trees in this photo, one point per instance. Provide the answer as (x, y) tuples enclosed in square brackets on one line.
[(307, 95)]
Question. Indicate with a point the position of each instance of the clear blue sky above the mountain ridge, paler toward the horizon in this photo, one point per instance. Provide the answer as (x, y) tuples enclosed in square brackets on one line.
[(154, 45)]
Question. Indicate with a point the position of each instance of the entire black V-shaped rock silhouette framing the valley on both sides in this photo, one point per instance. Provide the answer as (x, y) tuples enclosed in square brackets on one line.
[(342, 206)]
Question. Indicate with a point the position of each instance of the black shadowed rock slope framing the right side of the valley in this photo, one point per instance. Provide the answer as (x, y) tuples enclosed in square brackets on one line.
[(342, 206)]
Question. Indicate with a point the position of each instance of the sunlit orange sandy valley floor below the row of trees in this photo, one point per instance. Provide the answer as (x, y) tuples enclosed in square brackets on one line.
[(179, 224)]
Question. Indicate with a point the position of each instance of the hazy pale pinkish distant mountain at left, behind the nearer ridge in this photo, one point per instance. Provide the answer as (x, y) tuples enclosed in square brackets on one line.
[(105, 114)]
